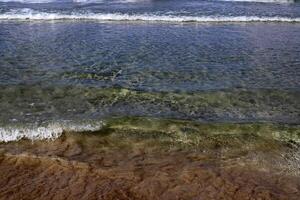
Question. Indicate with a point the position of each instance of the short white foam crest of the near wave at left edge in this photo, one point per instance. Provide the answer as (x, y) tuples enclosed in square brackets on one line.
[(50, 131)]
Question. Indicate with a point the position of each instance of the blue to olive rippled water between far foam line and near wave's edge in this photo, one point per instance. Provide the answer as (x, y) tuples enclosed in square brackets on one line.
[(90, 70)]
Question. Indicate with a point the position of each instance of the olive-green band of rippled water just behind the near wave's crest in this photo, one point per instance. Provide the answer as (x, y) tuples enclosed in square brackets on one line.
[(70, 102)]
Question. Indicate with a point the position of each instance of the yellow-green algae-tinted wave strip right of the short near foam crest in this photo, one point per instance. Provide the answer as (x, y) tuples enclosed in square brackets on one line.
[(169, 134)]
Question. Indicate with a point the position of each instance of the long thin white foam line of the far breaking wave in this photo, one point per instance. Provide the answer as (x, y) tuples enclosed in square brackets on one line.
[(29, 14)]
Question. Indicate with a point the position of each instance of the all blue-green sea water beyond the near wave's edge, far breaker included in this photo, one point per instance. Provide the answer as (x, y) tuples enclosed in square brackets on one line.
[(216, 61)]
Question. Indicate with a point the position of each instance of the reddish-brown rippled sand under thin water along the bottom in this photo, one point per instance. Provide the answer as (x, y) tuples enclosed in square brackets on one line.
[(67, 168)]
